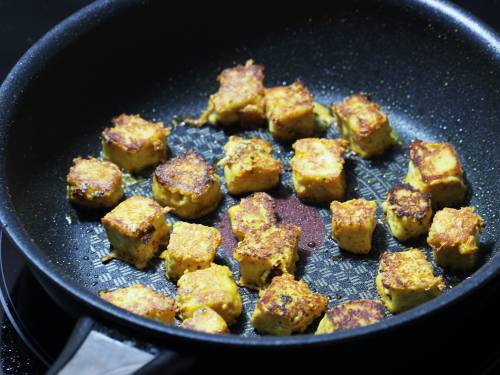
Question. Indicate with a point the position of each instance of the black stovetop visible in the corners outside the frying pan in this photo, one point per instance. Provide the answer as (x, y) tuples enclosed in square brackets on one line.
[(28, 341)]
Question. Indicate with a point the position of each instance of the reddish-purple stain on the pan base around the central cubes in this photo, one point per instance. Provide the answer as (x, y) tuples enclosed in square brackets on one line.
[(289, 210)]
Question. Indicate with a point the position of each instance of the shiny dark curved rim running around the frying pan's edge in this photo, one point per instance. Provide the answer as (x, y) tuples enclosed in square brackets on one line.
[(101, 11)]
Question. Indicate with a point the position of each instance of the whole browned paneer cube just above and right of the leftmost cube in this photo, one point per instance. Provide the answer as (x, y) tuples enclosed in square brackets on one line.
[(134, 143)]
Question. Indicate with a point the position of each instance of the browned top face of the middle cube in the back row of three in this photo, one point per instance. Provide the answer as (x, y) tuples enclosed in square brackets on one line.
[(288, 102)]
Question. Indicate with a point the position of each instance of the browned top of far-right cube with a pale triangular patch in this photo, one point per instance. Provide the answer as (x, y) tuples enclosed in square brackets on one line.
[(425, 155)]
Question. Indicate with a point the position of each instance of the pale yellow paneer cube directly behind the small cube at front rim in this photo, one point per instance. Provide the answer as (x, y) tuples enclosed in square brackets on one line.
[(212, 287)]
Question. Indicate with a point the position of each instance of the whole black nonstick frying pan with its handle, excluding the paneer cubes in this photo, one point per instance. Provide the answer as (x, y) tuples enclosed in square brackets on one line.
[(434, 69)]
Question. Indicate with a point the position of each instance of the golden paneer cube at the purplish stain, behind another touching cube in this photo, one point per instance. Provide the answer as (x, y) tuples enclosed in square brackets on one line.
[(253, 214)]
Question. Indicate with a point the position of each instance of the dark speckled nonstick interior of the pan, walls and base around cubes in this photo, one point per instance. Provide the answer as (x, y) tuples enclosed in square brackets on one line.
[(434, 82)]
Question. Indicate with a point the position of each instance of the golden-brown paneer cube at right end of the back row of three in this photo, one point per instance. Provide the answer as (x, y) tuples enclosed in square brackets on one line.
[(361, 122)]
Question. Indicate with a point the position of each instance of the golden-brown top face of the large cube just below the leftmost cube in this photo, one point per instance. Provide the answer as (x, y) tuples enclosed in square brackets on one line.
[(134, 217)]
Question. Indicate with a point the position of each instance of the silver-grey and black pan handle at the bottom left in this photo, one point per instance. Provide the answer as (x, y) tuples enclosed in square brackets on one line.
[(91, 351)]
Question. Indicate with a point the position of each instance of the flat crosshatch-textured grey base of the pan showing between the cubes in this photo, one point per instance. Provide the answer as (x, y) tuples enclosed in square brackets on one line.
[(328, 270)]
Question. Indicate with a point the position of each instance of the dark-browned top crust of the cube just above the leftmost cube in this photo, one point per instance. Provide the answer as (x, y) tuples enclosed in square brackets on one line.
[(131, 132)]
